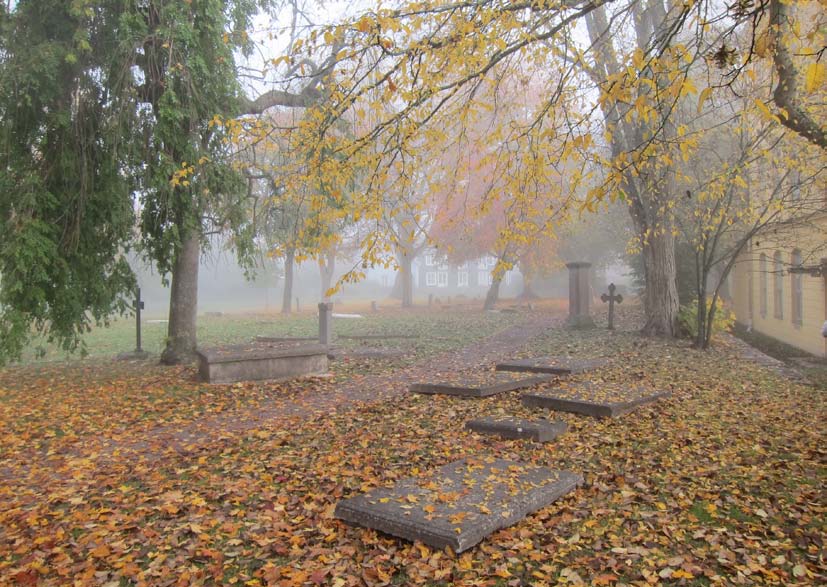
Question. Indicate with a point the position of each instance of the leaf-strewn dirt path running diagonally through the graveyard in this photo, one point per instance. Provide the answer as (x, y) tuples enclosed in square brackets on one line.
[(162, 442)]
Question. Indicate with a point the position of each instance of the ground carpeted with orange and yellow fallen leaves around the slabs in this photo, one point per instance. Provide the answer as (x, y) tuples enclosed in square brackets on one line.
[(723, 483)]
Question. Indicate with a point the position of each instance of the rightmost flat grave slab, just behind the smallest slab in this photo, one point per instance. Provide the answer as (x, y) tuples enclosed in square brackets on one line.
[(601, 400)]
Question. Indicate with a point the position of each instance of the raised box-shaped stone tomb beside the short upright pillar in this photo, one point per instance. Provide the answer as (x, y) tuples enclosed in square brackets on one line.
[(260, 360)]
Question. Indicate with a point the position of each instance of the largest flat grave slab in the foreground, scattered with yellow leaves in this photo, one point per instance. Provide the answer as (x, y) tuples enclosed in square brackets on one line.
[(459, 504)]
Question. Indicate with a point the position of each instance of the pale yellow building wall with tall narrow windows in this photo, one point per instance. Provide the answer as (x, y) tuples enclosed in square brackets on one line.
[(811, 240)]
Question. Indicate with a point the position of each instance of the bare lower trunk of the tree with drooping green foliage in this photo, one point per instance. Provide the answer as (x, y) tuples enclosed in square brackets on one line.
[(183, 303)]
